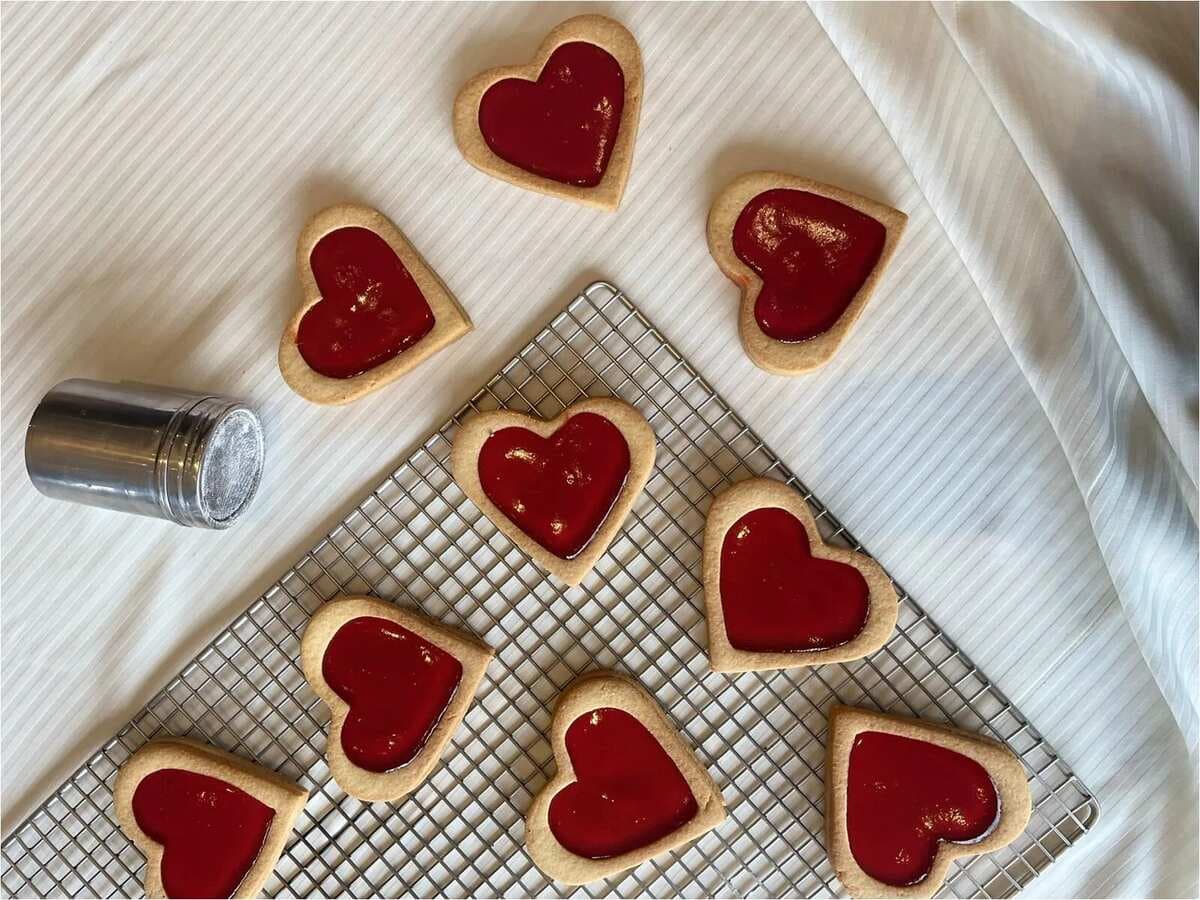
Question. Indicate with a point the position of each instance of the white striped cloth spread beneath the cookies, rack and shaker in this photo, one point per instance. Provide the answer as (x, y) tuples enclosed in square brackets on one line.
[(1012, 428)]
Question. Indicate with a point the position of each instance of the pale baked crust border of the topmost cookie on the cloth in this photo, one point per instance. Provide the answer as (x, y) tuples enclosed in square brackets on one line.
[(605, 34)]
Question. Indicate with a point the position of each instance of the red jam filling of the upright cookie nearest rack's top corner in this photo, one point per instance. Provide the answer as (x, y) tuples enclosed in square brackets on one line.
[(557, 490)]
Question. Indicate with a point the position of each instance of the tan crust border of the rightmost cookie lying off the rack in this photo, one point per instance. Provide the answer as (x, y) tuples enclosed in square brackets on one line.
[(766, 352)]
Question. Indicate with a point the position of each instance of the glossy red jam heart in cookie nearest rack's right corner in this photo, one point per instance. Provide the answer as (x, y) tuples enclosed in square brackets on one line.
[(904, 796)]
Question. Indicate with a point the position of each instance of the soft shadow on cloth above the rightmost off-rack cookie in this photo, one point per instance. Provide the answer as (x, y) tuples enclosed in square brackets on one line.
[(743, 157)]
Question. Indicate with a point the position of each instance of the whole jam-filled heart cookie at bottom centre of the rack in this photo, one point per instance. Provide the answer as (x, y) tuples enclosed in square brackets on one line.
[(628, 787)]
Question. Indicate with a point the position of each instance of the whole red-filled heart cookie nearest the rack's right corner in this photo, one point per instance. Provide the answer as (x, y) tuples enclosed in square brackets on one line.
[(904, 799)]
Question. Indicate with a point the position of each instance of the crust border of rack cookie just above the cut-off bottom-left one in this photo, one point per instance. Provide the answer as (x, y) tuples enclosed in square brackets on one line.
[(473, 655)]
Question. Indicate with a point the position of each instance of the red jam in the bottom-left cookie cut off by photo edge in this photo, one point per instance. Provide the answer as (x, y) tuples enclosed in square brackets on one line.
[(211, 831)]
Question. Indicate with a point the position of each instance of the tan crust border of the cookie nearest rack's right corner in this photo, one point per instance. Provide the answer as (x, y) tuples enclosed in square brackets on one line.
[(1004, 767)]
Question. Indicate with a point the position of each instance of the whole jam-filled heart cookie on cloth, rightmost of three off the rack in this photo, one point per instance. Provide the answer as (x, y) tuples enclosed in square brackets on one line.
[(807, 257)]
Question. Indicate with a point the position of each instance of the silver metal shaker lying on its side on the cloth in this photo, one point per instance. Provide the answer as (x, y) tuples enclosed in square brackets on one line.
[(194, 459)]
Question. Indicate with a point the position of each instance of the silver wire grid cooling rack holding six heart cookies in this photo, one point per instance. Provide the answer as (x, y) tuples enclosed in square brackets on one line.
[(418, 541)]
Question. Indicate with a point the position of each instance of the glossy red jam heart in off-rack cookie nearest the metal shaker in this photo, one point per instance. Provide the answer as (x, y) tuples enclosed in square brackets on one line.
[(370, 311)]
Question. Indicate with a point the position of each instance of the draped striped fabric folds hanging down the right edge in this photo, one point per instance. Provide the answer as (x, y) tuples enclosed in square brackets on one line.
[(1108, 347)]
